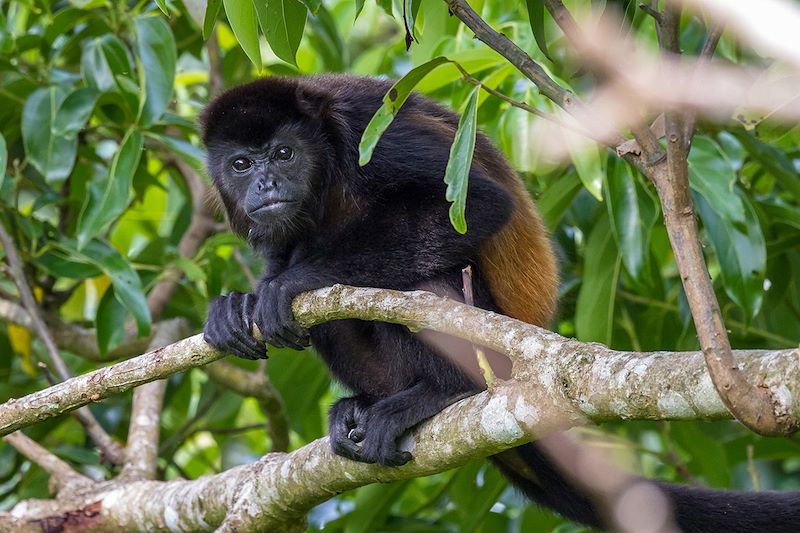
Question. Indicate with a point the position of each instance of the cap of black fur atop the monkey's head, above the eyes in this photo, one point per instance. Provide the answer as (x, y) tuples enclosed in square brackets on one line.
[(252, 113)]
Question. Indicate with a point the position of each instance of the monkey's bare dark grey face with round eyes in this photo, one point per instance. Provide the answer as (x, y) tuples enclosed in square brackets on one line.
[(270, 182)]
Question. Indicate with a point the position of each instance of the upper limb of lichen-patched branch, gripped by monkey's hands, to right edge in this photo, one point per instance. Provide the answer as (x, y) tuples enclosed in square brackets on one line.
[(541, 357)]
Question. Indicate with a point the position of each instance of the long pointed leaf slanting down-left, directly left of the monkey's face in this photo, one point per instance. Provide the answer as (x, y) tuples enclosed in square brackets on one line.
[(108, 199)]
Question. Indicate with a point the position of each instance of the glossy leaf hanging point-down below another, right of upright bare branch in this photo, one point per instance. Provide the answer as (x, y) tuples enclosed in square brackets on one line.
[(741, 251)]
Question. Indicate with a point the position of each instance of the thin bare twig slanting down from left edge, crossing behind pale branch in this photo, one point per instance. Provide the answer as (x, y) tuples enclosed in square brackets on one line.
[(108, 447)]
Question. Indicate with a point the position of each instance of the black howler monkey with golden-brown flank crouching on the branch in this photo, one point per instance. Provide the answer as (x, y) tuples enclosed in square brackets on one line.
[(283, 154)]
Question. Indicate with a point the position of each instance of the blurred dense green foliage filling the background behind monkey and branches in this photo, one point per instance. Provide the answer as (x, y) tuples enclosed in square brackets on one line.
[(85, 84)]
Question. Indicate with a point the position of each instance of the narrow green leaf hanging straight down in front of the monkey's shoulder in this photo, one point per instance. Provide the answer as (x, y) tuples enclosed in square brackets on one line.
[(456, 176)]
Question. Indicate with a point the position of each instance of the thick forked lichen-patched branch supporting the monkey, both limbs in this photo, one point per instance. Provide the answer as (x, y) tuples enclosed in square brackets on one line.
[(557, 383)]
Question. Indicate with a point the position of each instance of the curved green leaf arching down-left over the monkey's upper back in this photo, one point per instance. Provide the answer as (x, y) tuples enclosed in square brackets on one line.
[(392, 103)]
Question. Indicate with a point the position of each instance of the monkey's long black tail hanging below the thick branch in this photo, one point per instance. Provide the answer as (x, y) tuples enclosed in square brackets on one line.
[(695, 509)]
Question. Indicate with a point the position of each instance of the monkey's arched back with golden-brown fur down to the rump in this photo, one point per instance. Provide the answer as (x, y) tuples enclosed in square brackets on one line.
[(518, 262)]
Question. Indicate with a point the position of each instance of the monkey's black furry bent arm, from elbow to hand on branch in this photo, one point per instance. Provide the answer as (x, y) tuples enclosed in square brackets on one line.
[(404, 240)]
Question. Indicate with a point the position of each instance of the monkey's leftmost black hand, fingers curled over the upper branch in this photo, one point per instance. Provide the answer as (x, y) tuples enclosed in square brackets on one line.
[(228, 326)]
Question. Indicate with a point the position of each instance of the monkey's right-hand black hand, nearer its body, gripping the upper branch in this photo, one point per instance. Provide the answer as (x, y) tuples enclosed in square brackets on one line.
[(273, 312)]
